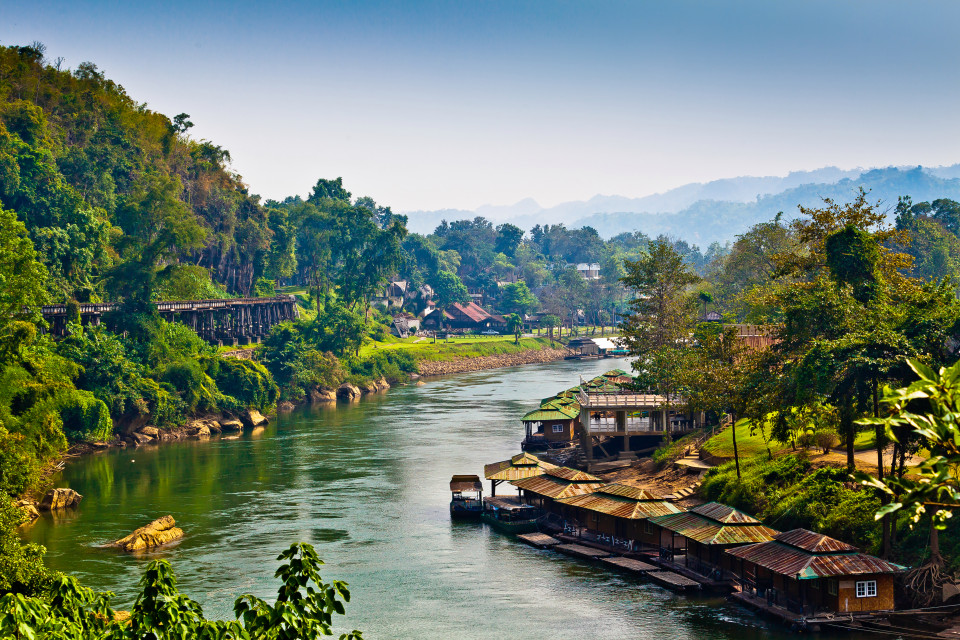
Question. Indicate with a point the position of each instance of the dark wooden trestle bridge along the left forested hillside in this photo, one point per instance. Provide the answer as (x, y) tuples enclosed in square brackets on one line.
[(230, 321)]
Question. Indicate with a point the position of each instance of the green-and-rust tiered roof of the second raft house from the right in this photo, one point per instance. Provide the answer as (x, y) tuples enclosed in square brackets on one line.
[(715, 523)]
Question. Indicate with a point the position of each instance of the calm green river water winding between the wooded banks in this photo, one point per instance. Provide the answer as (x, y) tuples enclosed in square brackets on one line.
[(366, 483)]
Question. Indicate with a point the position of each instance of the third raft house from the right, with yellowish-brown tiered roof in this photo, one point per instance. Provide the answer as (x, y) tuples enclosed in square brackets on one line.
[(617, 512)]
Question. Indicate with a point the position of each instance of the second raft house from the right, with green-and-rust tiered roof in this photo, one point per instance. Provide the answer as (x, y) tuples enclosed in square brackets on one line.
[(702, 534)]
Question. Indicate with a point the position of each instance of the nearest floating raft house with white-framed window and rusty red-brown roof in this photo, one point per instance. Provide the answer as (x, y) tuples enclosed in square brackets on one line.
[(810, 573)]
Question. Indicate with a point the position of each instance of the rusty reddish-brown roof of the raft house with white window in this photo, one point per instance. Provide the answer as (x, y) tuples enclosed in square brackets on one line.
[(806, 555)]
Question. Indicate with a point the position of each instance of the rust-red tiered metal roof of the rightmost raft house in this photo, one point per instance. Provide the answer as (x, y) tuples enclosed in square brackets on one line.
[(794, 562)]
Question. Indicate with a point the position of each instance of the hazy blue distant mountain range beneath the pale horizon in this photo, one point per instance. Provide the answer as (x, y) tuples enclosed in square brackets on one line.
[(702, 213)]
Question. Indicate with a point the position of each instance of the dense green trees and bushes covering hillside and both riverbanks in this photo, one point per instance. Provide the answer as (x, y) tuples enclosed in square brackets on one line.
[(103, 199)]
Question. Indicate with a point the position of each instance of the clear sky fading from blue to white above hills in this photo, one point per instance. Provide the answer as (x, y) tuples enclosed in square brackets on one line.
[(433, 105)]
